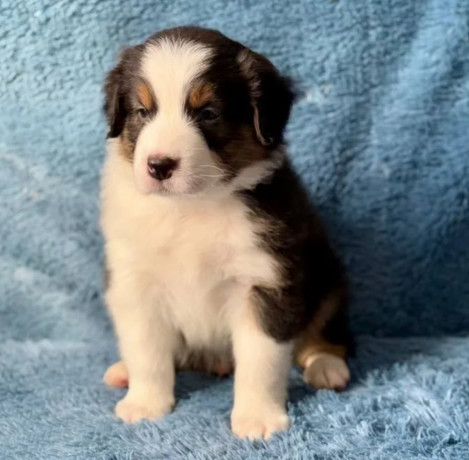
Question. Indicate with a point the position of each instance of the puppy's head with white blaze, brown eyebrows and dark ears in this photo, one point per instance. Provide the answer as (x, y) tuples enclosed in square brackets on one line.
[(194, 110)]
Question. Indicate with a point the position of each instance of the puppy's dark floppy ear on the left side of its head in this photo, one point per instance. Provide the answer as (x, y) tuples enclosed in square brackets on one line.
[(116, 86)]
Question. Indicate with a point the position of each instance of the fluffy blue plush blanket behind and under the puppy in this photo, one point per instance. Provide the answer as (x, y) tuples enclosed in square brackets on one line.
[(381, 135)]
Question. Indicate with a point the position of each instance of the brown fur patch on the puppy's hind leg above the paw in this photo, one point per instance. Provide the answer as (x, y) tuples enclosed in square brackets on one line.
[(311, 341)]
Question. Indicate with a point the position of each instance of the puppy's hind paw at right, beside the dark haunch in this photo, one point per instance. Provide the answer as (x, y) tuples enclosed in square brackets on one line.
[(327, 371)]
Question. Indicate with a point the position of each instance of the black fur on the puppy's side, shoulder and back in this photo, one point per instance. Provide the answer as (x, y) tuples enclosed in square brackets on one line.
[(291, 231)]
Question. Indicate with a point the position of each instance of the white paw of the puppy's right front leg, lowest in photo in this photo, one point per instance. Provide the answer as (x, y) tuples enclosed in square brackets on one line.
[(259, 422)]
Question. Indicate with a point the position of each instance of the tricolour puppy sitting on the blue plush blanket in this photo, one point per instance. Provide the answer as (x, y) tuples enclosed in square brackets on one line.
[(215, 256)]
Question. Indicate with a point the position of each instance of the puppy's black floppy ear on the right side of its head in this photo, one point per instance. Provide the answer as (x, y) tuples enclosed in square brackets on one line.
[(271, 97)]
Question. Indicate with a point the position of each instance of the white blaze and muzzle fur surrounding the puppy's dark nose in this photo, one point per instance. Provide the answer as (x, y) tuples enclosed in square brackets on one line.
[(170, 66)]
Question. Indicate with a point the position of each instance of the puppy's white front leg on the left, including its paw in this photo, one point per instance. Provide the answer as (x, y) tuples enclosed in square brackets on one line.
[(146, 345)]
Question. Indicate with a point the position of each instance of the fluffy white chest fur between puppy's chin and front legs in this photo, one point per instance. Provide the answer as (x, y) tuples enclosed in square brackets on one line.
[(194, 257)]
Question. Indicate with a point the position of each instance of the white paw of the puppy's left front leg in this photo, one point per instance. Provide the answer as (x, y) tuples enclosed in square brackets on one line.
[(132, 409)]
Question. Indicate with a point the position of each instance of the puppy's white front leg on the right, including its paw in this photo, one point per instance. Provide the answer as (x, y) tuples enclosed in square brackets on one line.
[(261, 378)]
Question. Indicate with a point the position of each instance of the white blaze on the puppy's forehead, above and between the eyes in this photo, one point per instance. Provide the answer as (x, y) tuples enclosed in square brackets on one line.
[(170, 65)]
